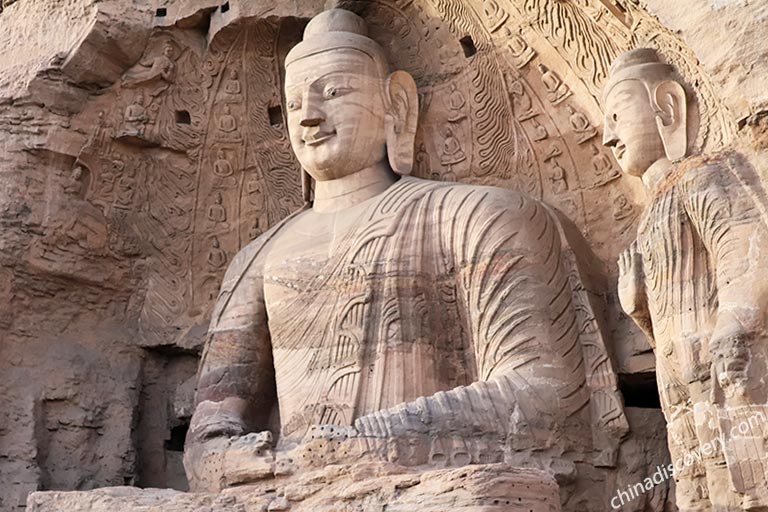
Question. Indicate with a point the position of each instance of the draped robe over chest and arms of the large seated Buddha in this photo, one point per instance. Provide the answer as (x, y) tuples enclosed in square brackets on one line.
[(431, 307)]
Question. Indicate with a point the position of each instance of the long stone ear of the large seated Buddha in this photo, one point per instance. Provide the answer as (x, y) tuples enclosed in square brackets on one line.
[(402, 118)]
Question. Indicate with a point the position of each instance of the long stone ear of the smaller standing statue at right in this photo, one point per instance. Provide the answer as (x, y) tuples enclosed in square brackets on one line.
[(671, 118)]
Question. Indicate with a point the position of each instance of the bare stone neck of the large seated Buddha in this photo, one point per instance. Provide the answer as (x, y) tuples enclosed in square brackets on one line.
[(339, 194)]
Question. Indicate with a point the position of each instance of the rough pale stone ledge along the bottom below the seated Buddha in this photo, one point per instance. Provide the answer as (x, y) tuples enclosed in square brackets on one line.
[(363, 487)]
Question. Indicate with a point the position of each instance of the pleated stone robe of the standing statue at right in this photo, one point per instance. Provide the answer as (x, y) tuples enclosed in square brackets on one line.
[(704, 247)]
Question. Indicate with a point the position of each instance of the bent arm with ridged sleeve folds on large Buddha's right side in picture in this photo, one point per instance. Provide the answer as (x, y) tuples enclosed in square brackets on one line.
[(518, 303)]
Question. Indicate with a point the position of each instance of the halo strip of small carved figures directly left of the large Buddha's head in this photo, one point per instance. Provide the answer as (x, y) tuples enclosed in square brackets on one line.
[(249, 179)]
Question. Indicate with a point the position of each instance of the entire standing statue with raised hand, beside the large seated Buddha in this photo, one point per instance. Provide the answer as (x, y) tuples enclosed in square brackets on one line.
[(695, 282)]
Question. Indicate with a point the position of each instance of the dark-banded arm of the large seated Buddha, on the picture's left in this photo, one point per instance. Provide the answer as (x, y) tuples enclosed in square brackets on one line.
[(236, 383)]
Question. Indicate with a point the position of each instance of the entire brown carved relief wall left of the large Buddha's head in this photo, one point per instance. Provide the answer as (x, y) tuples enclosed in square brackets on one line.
[(188, 162)]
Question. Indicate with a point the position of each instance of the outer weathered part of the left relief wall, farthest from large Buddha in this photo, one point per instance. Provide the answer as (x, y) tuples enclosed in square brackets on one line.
[(146, 196)]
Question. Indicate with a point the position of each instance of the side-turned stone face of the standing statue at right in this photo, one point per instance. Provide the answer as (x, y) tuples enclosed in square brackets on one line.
[(630, 127)]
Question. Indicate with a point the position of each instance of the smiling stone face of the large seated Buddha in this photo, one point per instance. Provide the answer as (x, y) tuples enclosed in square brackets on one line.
[(336, 113)]
